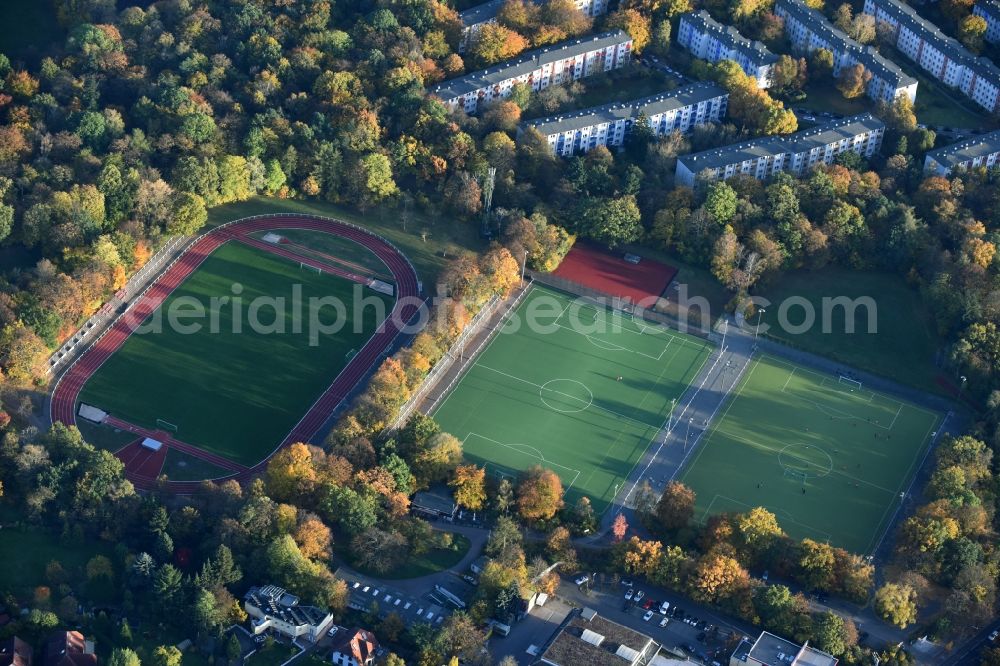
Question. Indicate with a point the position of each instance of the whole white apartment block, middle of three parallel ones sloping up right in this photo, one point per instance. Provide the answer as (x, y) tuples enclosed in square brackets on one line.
[(679, 110)]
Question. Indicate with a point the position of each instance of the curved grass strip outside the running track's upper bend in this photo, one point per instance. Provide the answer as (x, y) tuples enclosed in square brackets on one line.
[(429, 241)]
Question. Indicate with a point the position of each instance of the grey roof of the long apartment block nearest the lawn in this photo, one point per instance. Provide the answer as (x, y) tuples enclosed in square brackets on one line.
[(770, 146)]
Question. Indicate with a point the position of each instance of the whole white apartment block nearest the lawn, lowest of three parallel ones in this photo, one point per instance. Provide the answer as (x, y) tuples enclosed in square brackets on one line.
[(796, 153)]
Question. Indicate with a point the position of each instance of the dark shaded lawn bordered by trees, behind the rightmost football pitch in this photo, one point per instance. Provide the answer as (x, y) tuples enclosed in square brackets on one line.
[(904, 346)]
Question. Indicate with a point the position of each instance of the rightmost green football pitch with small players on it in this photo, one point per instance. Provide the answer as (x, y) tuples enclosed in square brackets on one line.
[(827, 456)]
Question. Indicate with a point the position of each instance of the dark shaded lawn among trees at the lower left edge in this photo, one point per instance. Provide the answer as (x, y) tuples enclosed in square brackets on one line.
[(26, 552)]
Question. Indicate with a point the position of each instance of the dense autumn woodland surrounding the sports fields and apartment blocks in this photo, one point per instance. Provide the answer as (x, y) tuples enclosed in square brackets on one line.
[(146, 118)]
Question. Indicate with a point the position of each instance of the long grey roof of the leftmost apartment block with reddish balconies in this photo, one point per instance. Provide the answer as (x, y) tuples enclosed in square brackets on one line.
[(527, 62)]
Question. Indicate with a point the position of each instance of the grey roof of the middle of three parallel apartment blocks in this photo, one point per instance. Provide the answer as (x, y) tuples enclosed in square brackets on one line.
[(650, 106)]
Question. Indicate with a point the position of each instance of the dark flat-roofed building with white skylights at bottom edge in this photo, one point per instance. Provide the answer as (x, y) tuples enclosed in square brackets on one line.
[(585, 637)]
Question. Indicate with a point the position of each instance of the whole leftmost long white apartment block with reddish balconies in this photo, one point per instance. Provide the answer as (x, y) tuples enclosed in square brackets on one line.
[(541, 68)]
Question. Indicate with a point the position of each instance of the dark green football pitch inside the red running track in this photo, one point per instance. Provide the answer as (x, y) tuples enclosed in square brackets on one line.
[(236, 392)]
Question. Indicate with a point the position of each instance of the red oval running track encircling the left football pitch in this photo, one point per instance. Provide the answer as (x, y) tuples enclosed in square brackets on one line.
[(67, 390)]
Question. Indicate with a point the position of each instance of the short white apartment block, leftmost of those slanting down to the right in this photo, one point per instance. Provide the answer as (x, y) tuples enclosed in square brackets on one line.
[(709, 40)]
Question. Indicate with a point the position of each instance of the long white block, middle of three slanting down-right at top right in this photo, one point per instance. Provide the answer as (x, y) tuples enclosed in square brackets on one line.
[(808, 30)]
